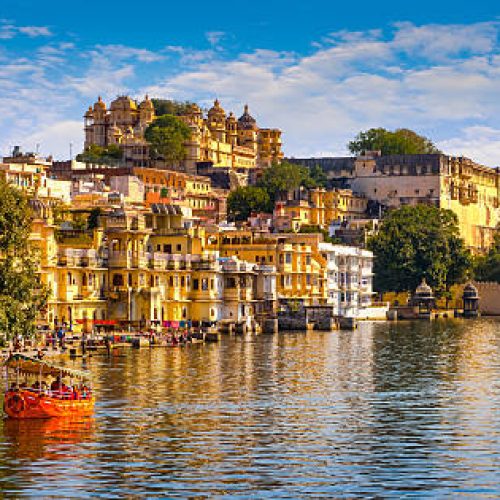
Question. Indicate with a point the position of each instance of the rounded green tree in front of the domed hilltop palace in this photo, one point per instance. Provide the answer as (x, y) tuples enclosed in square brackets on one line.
[(166, 136)]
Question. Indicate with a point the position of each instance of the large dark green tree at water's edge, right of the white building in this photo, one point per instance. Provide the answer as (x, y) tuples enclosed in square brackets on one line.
[(416, 242)]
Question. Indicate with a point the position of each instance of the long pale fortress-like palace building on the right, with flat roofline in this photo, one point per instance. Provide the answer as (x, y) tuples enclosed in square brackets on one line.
[(470, 190)]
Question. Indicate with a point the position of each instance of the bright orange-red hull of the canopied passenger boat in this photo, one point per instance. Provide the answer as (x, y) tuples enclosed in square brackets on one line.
[(27, 404)]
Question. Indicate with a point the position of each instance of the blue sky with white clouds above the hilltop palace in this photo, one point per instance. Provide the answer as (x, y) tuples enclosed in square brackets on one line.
[(320, 70)]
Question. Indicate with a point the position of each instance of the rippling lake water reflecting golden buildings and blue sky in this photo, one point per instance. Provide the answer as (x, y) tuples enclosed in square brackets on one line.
[(388, 410)]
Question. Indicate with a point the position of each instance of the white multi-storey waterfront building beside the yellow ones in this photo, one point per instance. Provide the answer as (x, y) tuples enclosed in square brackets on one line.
[(349, 279)]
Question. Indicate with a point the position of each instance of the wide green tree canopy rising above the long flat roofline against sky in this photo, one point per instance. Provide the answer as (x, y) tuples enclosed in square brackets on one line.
[(401, 141)]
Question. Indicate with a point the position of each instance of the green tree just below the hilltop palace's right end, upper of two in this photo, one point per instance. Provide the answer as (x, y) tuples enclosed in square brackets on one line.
[(282, 177)]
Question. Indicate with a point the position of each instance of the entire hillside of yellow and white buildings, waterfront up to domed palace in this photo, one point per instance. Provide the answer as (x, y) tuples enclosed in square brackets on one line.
[(140, 244)]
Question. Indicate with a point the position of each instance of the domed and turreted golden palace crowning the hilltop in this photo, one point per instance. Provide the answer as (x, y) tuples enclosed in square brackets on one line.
[(217, 139)]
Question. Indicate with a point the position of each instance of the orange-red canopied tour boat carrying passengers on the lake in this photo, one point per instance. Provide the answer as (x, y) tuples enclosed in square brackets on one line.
[(41, 400)]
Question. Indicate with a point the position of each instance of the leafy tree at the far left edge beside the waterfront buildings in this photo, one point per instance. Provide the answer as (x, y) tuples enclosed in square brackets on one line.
[(21, 293)]
